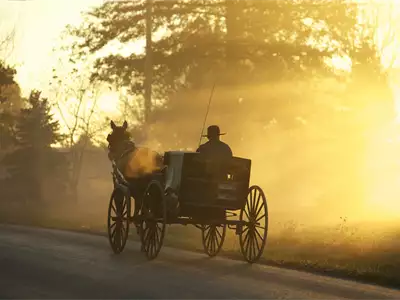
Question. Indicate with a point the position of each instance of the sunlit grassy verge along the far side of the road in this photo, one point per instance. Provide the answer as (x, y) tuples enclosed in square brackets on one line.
[(348, 251)]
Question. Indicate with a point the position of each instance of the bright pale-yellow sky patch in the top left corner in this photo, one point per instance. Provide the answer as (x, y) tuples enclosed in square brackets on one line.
[(38, 24)]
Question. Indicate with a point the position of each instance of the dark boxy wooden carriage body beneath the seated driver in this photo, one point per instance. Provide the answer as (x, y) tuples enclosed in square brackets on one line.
[(202, 183)]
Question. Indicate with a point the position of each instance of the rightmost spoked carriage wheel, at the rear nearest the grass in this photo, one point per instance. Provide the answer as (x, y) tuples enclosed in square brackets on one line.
[(254, 219)]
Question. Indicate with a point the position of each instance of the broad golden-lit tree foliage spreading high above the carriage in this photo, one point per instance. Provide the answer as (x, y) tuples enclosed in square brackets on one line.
[(204, 40)]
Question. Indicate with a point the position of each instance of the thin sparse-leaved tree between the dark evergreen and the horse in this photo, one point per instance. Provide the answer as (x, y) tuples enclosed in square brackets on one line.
[(76, 101)]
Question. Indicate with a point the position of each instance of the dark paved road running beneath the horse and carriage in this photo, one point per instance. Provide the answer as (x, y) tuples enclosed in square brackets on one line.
[(57, 265)]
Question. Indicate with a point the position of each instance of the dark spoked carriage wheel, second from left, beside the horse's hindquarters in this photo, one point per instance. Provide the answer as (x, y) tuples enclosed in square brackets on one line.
[(154, 214)]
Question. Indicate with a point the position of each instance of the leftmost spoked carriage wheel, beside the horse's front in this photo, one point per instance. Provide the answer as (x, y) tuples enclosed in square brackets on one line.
[(118, 220)]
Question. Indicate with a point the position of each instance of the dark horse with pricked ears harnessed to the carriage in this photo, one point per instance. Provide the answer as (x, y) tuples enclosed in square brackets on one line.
[(138, 165)]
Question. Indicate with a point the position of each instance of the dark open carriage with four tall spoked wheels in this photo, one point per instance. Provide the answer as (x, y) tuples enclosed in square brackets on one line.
[(191, 189)]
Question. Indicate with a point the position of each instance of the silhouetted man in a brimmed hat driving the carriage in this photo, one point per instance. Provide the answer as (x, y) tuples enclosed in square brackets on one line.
[(215, 148)]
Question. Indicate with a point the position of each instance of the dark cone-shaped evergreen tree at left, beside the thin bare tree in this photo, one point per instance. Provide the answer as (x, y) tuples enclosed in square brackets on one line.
[(34, 166)]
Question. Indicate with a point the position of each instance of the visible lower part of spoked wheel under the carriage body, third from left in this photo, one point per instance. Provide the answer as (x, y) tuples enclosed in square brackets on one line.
[(213, 237)]
